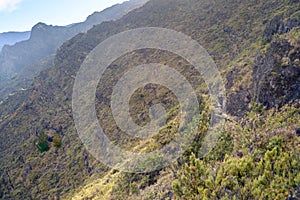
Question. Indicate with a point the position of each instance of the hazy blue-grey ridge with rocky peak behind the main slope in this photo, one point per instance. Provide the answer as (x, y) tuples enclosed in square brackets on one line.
[(43, 42)]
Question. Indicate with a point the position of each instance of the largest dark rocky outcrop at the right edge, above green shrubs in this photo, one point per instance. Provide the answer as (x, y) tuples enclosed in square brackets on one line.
[(277, 75)]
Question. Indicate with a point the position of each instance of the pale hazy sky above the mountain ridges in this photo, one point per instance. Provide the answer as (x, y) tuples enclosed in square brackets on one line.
[(21, 15)]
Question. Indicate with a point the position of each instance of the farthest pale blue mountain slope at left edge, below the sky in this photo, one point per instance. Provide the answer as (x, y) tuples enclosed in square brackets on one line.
[(11, 38)]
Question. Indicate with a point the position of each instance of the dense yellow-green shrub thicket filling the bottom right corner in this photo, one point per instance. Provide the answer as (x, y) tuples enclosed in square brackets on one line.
[(262, 164)]
